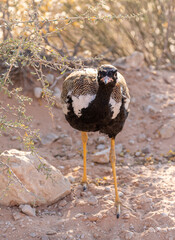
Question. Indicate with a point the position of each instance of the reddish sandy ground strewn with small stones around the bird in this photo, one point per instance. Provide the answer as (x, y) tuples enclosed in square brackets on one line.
[(145, 171)]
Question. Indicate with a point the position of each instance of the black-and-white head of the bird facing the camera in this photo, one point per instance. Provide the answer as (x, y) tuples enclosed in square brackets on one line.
[(107, 75)]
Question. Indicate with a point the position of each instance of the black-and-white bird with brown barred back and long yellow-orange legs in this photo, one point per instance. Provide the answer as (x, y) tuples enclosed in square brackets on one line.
[(97, 100)]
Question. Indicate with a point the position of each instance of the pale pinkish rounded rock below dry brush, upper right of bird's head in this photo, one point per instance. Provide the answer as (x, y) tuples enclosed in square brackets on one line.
[(135, 60)]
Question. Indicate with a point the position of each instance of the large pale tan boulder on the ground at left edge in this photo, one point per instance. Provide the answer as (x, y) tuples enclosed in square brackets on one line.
[(34, 180)]
